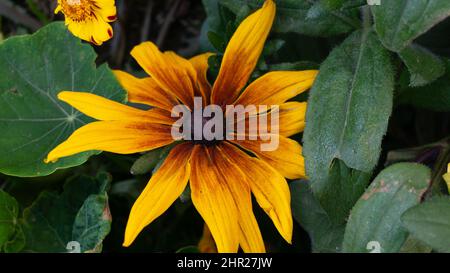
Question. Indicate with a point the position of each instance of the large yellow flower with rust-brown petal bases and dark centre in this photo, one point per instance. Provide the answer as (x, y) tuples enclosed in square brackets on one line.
[(222, 174)]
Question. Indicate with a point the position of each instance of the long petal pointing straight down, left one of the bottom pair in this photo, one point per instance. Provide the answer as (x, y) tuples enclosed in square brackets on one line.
[(214, 201)]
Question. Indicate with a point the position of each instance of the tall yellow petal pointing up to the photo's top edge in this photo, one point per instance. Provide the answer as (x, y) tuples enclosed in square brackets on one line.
[(242, 54)]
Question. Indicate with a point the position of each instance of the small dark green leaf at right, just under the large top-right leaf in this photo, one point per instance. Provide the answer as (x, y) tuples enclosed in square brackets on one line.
[(423, 65)]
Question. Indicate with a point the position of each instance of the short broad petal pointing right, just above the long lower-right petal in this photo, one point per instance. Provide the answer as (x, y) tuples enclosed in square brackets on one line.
[(287, 159)]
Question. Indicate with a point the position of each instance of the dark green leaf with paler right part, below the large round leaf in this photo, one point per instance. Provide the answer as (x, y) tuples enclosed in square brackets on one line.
[(80, 215)]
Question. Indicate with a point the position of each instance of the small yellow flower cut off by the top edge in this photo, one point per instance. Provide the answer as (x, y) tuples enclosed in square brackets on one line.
[(89, 19)]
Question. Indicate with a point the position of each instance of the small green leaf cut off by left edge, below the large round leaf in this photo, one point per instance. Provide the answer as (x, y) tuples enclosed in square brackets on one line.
[(9, 212)]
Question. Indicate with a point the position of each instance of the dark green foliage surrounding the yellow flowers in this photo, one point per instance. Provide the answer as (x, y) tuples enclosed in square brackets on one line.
[(376, 142)]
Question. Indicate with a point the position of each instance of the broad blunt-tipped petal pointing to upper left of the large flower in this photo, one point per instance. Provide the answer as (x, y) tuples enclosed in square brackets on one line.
[(174, 74)]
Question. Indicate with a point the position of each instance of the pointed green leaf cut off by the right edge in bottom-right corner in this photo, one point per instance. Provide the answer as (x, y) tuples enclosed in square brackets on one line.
[(430, 223)]
